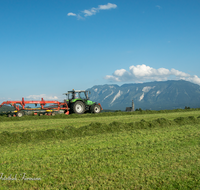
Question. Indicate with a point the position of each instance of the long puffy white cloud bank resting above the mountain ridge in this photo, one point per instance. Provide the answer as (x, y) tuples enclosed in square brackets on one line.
[(142, 73)]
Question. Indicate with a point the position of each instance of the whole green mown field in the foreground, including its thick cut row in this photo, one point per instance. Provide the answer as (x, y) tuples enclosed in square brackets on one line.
[(106, 152)]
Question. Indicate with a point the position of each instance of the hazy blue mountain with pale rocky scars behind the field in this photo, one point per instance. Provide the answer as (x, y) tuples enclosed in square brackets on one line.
[(171, 94)]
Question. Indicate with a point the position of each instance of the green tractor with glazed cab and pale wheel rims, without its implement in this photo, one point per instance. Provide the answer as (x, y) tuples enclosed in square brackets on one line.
[(78, 102)]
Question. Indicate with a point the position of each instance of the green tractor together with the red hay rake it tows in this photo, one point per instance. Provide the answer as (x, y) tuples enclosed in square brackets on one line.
[(77, 102)]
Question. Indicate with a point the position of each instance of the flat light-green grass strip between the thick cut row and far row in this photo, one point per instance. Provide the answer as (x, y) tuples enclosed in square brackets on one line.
[(45, 124)]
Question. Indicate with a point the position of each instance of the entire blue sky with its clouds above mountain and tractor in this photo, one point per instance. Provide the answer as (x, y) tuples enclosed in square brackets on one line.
[(48, 47)]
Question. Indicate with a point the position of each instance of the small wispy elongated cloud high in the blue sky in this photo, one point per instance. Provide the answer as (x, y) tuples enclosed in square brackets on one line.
[(93, 10)]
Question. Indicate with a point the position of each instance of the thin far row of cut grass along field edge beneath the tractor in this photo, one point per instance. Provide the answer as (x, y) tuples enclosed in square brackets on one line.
[(88, 115)]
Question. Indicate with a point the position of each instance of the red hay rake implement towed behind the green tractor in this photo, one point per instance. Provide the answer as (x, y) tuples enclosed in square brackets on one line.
[(44, 109)]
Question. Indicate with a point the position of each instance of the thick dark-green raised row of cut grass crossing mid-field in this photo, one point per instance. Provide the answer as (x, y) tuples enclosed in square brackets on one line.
[(90, 130)]
